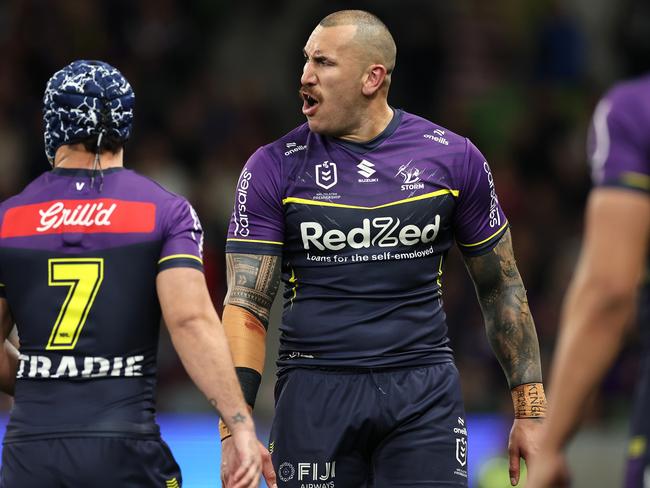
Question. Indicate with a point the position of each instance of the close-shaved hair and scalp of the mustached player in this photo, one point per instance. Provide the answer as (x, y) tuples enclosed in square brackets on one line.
[(372, 36)]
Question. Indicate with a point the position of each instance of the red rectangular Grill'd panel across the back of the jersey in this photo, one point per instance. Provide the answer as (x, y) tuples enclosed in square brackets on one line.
[(88, 216)]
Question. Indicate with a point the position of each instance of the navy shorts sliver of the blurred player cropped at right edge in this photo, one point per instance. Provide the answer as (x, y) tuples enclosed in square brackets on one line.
[(637, 473)]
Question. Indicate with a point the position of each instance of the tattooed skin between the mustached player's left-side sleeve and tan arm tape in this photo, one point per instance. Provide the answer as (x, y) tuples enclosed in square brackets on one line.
[(253, 281)]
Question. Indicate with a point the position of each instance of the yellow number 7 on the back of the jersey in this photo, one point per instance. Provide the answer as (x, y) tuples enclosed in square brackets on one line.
[(83, 276)]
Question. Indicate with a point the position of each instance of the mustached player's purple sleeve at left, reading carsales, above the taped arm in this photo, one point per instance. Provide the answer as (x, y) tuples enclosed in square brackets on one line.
[(257, 222)]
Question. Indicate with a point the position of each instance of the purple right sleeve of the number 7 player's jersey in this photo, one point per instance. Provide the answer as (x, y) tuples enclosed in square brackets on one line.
[(183, 237)]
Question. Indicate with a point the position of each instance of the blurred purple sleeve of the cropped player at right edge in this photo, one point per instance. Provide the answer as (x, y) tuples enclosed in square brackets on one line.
[(618, 145)]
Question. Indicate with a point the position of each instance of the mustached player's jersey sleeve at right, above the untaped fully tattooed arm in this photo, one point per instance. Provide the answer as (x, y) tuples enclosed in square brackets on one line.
[(479, 222)]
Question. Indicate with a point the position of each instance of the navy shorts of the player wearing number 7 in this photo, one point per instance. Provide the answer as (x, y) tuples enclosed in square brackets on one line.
[(97, 462)]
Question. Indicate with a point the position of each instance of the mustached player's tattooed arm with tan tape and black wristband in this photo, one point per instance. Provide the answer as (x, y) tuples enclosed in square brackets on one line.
[(253, 282)]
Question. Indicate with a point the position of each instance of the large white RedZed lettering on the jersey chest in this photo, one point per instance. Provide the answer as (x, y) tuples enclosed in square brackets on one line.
[(380, 231)]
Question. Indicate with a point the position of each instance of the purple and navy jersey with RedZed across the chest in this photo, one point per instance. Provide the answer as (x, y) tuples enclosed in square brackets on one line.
[(363, 231)]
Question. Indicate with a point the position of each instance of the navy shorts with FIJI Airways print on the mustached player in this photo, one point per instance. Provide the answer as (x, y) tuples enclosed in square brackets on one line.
[(383, 428)]
